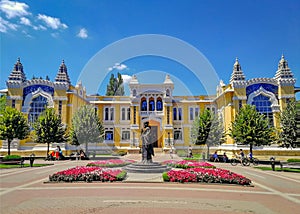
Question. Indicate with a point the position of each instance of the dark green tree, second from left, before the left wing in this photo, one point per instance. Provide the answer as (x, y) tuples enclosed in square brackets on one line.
[(49, 128)]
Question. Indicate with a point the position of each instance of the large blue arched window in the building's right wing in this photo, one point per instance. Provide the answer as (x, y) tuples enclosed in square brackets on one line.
[(263, 106)]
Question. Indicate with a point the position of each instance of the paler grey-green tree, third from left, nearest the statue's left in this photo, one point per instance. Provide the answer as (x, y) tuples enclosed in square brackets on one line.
[(86, 127)]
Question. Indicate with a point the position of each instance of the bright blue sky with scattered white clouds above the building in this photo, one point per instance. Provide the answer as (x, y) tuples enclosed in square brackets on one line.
[(196, 42)]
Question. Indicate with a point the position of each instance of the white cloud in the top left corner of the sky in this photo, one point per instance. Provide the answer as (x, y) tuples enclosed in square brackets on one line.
[(14, 9)]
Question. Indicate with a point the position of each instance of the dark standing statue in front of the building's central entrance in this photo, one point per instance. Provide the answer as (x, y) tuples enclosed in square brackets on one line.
[(147, 144)]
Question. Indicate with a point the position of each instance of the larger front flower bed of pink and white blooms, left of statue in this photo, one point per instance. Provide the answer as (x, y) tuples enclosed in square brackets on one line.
[(88, 174)]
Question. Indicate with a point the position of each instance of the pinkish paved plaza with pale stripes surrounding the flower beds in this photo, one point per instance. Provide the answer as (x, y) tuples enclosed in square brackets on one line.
[(23, 190)]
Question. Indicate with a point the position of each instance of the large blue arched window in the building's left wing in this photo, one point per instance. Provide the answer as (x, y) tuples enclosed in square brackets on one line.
[(37, 106)]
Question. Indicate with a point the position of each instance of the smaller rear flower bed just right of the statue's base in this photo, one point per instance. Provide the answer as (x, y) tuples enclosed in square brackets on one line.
[(184, 164)]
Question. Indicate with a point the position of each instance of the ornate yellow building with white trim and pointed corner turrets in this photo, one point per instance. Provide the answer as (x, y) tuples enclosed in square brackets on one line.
[(169, 116)]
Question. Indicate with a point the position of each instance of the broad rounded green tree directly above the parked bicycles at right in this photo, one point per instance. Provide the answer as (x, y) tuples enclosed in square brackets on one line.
[(251, 128)]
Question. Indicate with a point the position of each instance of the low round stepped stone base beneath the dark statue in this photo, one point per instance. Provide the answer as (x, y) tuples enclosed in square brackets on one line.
[(146, 168)]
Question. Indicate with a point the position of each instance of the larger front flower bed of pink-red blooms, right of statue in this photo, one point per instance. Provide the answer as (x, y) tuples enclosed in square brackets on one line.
[(206, 176)]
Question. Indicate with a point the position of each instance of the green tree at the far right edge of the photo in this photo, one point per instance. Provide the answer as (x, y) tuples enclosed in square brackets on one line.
[(288, 134)]
